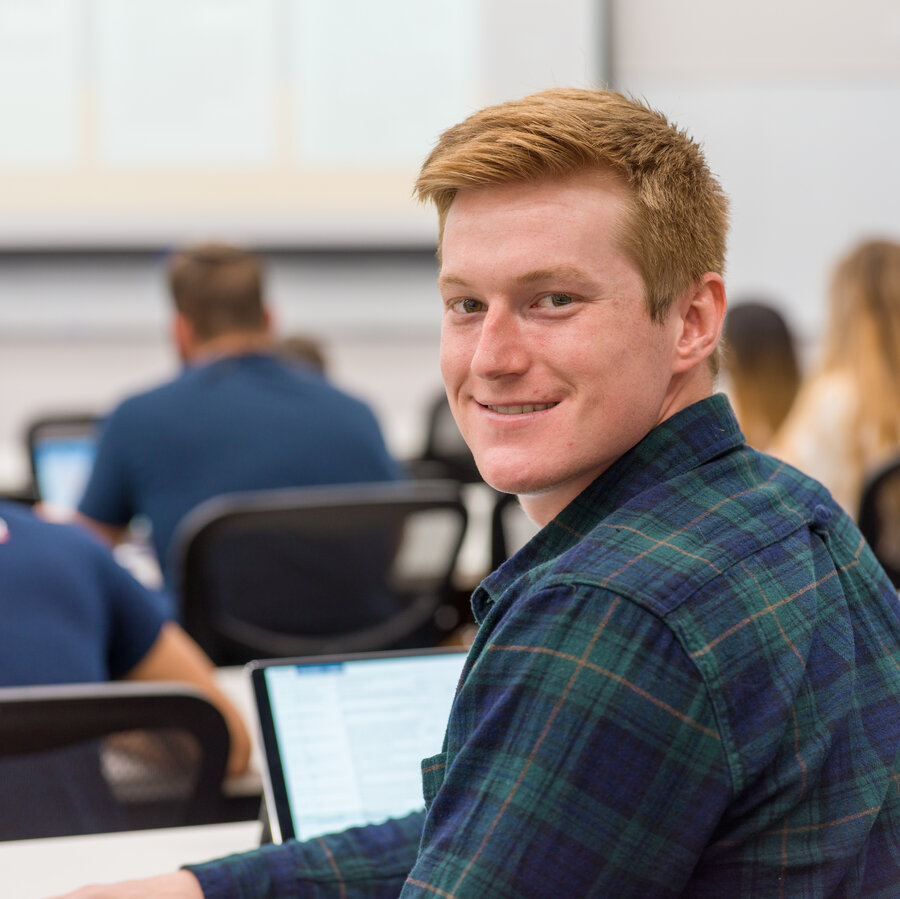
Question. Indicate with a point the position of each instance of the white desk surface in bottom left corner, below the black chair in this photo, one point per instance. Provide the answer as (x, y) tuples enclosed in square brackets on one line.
[(35, 869)]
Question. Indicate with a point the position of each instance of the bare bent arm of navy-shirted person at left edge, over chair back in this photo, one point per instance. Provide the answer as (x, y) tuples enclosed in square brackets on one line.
[(174, 656)]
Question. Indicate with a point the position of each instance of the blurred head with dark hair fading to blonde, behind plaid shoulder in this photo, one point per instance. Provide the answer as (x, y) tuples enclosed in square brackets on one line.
[(760, 362)]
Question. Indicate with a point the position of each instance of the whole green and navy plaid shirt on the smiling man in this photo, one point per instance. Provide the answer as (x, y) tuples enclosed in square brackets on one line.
[(688, 684)]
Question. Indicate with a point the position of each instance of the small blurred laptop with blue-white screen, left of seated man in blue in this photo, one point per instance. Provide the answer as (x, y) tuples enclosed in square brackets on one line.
[(61, 451)]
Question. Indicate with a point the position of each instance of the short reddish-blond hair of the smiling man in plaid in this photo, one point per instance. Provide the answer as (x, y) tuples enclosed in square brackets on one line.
[(679, 221)]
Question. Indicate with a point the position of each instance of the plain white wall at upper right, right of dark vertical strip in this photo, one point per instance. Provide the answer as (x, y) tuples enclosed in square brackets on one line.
[(796, 103)]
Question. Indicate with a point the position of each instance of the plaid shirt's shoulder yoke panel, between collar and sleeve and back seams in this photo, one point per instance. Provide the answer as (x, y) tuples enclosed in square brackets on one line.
[(673, 538)]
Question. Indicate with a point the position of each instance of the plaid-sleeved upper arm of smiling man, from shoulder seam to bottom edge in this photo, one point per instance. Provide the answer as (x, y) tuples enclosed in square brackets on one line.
[(583, 758)]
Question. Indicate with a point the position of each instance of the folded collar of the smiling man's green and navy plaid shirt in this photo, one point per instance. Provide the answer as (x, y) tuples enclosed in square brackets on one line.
[(688, 439)]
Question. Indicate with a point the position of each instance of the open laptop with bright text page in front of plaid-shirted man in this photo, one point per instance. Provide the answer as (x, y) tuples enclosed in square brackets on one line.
[(343, 737)]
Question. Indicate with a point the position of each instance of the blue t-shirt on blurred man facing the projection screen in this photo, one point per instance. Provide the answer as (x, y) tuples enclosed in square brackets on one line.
[(248, 422)]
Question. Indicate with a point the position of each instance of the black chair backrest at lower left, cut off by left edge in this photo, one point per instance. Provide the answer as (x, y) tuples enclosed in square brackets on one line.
[(96, 758)]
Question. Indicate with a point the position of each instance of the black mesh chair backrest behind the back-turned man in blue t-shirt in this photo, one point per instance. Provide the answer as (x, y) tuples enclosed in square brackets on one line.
[(312, 570)]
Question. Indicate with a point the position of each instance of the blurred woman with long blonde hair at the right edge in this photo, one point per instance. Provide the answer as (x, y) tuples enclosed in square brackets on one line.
[(846, 420)]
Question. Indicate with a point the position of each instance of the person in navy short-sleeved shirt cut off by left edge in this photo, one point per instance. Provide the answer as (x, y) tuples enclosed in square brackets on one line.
[(72, 614)]
